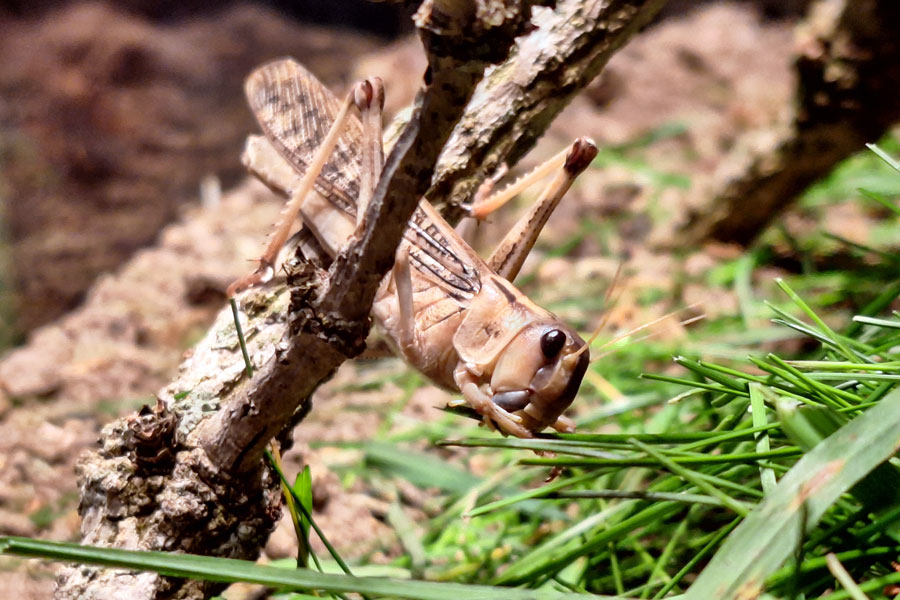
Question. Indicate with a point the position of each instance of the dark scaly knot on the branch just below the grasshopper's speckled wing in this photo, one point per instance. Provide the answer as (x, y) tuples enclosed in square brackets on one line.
[(306, 315)]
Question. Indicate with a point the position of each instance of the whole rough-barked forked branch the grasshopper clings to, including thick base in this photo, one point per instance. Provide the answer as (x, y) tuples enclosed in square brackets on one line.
[(188, 474)]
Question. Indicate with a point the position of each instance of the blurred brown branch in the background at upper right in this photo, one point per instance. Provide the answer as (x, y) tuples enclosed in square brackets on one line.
[(848, 75)]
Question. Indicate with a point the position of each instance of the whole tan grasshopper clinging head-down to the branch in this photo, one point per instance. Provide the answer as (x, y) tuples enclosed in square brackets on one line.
[(449, 313)]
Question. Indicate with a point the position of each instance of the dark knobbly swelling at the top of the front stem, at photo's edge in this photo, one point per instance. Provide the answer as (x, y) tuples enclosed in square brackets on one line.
[(479, 30)]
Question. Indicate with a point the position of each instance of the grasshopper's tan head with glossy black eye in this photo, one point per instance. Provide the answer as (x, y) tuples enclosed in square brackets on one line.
[(538, 374)]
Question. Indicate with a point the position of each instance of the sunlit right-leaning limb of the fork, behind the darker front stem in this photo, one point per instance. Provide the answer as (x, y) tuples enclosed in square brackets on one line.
[(518, 99)]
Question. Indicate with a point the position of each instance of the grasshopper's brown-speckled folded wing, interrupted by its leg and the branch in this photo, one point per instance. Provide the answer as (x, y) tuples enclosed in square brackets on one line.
[(295, 111)]
